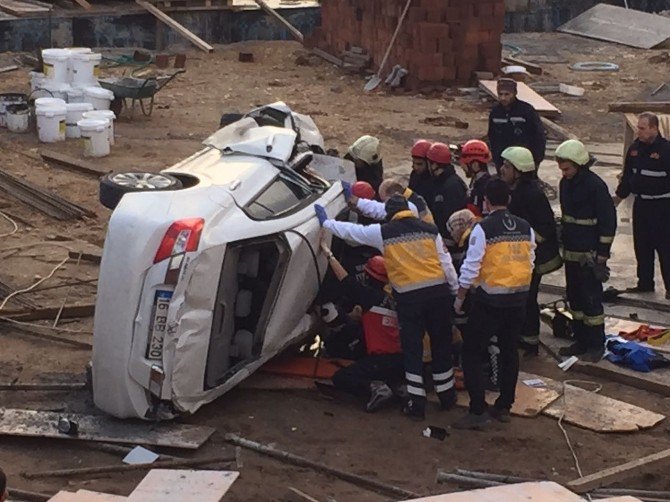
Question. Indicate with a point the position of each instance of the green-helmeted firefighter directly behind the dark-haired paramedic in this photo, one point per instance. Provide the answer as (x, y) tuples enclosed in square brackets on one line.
[(530, 203)]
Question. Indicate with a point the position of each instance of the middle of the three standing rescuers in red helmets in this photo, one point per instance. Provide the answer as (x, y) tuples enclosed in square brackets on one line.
[(450, 192)]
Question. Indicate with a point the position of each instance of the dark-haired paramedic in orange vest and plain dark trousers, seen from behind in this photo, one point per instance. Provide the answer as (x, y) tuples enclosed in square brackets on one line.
[(499, 264)]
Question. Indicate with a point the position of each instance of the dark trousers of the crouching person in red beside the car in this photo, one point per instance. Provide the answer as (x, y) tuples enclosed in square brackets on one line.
[(357, 377)]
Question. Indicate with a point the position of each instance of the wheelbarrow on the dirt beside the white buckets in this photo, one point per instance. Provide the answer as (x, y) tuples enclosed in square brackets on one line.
[(135, 89)]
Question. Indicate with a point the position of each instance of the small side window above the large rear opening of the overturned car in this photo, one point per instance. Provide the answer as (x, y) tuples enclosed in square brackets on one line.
[(279, 197)]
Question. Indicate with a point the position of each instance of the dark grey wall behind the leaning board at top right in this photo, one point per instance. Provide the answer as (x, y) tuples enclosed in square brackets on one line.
[(547, 15)]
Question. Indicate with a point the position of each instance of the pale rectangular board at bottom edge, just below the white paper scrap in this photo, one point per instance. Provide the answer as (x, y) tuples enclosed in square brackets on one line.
[(166, 485)]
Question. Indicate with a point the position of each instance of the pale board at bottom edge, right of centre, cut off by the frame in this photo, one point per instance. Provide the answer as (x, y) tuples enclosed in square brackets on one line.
[(542, 491)]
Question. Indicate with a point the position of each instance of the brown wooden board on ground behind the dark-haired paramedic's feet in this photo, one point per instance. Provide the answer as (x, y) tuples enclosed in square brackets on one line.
[(529, 401)]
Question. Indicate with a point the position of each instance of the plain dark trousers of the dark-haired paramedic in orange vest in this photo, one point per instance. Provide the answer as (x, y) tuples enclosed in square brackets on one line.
[(504, 323)]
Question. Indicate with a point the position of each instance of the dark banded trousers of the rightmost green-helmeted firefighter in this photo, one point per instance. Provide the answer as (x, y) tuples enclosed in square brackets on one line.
[(585, 296)]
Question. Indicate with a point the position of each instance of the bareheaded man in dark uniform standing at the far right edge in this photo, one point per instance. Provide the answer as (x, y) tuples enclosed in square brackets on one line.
[(646, 175)]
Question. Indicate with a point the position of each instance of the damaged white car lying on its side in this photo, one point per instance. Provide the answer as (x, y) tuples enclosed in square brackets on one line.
[(209, 268)]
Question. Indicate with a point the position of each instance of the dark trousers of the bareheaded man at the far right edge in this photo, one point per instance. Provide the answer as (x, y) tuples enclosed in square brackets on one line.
[(651, 235)]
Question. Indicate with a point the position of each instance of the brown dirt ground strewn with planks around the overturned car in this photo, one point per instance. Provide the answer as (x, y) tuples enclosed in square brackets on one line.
[(337, 432)]
